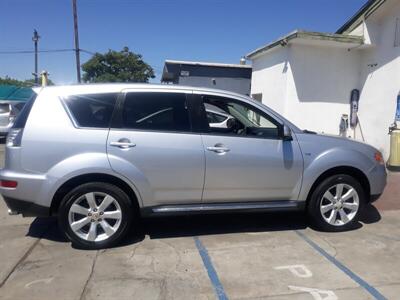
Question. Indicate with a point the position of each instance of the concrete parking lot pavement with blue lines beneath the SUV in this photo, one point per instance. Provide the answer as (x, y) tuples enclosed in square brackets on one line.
[(260, 256)]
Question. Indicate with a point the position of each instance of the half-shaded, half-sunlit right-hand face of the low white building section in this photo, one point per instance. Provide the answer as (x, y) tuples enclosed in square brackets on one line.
[(319, 84)]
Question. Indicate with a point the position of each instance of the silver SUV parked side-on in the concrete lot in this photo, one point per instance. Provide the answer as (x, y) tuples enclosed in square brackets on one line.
[(100, 156)]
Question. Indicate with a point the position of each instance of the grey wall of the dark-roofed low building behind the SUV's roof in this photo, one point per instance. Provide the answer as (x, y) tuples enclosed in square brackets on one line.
[(237, 85)]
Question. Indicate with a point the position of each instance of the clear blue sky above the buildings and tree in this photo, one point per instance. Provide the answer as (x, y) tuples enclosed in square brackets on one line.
[(200, 30)]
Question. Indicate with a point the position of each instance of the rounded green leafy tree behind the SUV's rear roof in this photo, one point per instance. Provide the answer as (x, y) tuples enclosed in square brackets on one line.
[(117, 66)]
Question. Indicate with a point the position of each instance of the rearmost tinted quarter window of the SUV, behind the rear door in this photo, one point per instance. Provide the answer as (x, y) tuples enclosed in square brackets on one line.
[(94, 110)]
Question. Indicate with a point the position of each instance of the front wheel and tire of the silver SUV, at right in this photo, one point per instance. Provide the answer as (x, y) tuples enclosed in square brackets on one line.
[(328, 213)]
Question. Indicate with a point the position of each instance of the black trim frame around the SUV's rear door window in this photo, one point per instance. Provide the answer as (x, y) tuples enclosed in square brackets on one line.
[(117, 119)]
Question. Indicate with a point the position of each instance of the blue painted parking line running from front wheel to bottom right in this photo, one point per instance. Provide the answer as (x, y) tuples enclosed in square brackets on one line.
[(370, 289)]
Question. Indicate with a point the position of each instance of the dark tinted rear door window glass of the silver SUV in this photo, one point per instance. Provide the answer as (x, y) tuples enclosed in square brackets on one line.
[(156, 111)]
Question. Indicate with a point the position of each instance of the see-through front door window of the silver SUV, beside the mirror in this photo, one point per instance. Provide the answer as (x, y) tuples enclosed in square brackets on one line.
[(244, 120)]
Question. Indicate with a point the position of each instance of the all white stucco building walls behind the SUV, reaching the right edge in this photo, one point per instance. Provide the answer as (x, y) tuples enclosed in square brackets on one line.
[(314, 91)]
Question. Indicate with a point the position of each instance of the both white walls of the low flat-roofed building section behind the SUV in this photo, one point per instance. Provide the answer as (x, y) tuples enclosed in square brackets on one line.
[(309, 85)]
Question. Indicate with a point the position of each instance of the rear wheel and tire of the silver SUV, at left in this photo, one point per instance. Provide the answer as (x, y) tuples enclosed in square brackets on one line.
[(104, 211)]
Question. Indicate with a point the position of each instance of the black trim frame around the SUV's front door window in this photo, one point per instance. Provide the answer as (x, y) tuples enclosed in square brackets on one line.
[(205, 126)]
